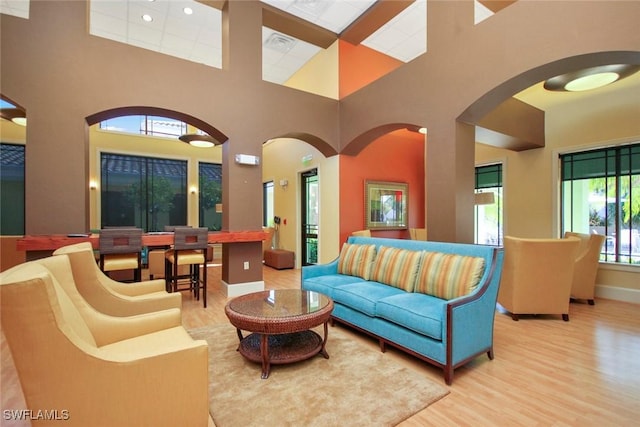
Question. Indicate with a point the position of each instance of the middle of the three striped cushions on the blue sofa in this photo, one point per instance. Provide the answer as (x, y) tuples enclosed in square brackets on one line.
[(396, 267)]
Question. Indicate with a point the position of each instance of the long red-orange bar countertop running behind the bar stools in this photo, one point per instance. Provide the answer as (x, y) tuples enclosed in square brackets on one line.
[(51, 242)]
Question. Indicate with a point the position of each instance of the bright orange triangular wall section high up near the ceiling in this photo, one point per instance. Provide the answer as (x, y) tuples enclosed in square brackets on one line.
[(358, 66)]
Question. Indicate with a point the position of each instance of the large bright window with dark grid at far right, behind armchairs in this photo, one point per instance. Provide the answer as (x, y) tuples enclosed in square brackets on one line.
[(601, 194)]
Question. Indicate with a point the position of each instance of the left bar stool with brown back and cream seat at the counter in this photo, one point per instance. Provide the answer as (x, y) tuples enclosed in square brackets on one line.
[(121, 249)]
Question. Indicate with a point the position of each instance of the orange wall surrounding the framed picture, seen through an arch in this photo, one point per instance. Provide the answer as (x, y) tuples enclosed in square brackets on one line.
[(376, 163)]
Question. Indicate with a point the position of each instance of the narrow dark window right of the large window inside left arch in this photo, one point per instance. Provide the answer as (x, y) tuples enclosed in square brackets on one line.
[(210, 198)]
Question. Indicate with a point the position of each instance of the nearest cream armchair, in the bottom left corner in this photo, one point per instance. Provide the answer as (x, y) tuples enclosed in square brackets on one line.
[(109, 371)]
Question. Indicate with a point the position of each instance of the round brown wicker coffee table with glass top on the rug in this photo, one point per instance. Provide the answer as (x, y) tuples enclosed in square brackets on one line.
[(280, 321)]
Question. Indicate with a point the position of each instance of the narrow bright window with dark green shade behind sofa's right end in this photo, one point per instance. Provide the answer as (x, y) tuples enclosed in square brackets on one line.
[(488, 209)]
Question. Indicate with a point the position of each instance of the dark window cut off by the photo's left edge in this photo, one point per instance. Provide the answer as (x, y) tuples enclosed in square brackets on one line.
[(12, 189)]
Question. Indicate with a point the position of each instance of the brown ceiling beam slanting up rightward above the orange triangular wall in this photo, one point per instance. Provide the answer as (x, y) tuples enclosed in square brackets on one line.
[(375, 17)]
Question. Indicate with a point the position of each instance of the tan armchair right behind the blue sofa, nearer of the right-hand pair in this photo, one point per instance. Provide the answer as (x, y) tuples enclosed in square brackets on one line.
[(537, 276)]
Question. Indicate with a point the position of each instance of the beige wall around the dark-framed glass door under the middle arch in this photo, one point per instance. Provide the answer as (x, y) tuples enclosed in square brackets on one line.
[(283, 161)]
